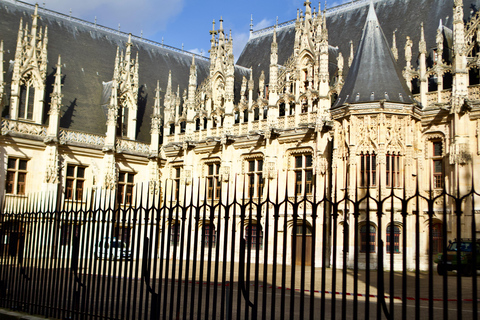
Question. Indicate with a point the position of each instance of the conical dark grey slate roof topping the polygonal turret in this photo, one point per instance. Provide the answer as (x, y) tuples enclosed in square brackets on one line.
[(373, 75)]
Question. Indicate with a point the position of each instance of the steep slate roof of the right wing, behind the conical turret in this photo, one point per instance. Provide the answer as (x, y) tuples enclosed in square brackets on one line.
[(346, 22)]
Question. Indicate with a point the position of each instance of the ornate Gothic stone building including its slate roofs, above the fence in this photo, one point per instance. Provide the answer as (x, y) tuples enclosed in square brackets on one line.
[(348, 102)]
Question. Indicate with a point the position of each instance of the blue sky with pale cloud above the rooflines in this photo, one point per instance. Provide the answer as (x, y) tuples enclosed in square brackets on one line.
[(183, 22)]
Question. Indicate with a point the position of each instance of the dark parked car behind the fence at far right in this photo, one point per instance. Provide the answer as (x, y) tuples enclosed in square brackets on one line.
[(467, 265)]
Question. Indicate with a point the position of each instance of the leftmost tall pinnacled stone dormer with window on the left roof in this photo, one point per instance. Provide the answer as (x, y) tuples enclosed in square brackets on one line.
[(29, 72)]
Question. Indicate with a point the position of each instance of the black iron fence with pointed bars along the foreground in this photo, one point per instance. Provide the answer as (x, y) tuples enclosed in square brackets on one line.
[(197, 254)]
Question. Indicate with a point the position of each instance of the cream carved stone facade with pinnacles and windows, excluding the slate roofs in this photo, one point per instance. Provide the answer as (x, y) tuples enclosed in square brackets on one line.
[(277, 123)]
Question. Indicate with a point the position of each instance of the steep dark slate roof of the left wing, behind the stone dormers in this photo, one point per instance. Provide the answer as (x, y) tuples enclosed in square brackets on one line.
[(88, 56)]
